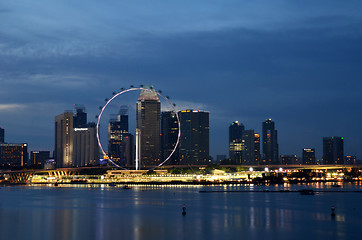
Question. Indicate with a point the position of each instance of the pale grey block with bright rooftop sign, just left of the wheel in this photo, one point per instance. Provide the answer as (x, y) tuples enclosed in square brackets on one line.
[(85, 146)]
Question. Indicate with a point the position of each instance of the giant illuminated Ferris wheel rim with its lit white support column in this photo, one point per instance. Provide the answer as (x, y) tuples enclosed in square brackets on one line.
[(138, 157)]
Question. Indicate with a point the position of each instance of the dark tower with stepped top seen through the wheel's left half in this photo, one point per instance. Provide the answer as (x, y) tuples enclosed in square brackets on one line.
[(120, 141)]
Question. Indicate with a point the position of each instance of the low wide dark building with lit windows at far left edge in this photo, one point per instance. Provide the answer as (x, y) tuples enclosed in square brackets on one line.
[(13, 154)]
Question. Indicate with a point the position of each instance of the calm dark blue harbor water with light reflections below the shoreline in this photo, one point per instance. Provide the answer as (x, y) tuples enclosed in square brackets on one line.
[(154, 212)]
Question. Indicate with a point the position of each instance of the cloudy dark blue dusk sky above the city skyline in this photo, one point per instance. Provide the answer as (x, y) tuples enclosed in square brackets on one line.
[(297, 62)]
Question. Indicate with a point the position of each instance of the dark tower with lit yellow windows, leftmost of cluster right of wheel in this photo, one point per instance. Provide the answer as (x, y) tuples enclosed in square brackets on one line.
[(235, 142)]
